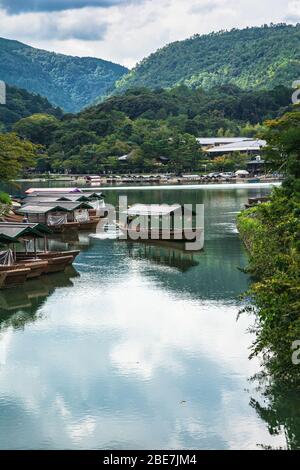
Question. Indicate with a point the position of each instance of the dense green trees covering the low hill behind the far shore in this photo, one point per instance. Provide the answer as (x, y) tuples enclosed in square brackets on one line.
[(150, 127)]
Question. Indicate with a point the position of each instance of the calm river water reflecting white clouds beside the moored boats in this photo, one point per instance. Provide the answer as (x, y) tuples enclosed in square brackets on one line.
[(140, 347)]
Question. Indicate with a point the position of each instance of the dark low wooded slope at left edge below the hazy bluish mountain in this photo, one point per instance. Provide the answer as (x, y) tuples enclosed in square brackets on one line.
[(20, 103)]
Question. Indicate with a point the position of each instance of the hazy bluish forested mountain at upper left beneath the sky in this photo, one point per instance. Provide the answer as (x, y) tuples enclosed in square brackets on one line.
[(68, 82)]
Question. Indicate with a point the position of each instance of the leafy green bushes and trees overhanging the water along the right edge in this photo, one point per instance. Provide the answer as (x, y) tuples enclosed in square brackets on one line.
[(271, 234)]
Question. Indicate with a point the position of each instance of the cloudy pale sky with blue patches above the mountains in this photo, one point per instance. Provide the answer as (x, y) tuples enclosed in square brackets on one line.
[(126, 31)]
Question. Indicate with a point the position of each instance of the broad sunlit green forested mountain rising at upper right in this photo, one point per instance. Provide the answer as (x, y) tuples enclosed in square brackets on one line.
[(257, 57)]
